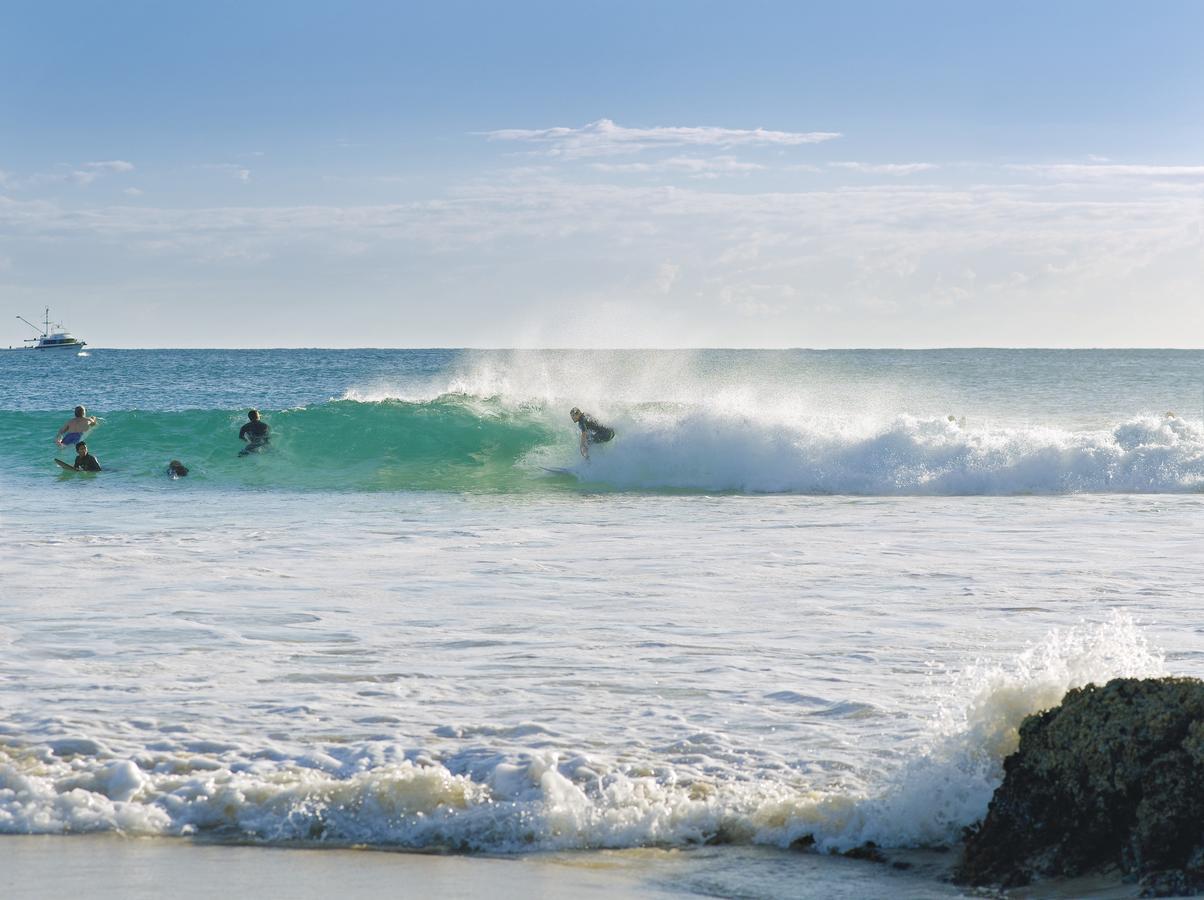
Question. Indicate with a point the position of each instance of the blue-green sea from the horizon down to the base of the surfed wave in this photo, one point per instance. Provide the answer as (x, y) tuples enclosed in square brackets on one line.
[(855, 423)]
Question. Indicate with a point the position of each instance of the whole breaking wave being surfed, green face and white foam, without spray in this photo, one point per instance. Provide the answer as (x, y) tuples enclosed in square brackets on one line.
[(458, 442)]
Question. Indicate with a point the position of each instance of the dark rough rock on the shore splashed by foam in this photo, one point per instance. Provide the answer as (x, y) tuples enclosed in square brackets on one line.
[(1113, 778)]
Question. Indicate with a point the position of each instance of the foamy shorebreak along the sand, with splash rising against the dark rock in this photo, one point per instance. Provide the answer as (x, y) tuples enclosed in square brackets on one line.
[(480, 800)]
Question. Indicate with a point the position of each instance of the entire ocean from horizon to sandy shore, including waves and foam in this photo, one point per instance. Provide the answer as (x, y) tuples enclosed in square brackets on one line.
[(801, 602)]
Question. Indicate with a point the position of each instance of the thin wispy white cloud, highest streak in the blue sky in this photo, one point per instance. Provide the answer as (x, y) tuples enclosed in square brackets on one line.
[(605, 138)]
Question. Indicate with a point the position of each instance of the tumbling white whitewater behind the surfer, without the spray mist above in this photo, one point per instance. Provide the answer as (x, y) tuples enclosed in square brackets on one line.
[(704, 451)]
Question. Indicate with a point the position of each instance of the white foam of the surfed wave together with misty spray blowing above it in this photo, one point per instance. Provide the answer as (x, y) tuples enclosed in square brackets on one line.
[(684, 427)]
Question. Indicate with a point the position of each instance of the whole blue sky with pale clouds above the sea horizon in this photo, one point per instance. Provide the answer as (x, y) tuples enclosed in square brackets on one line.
[(653, 174)]
